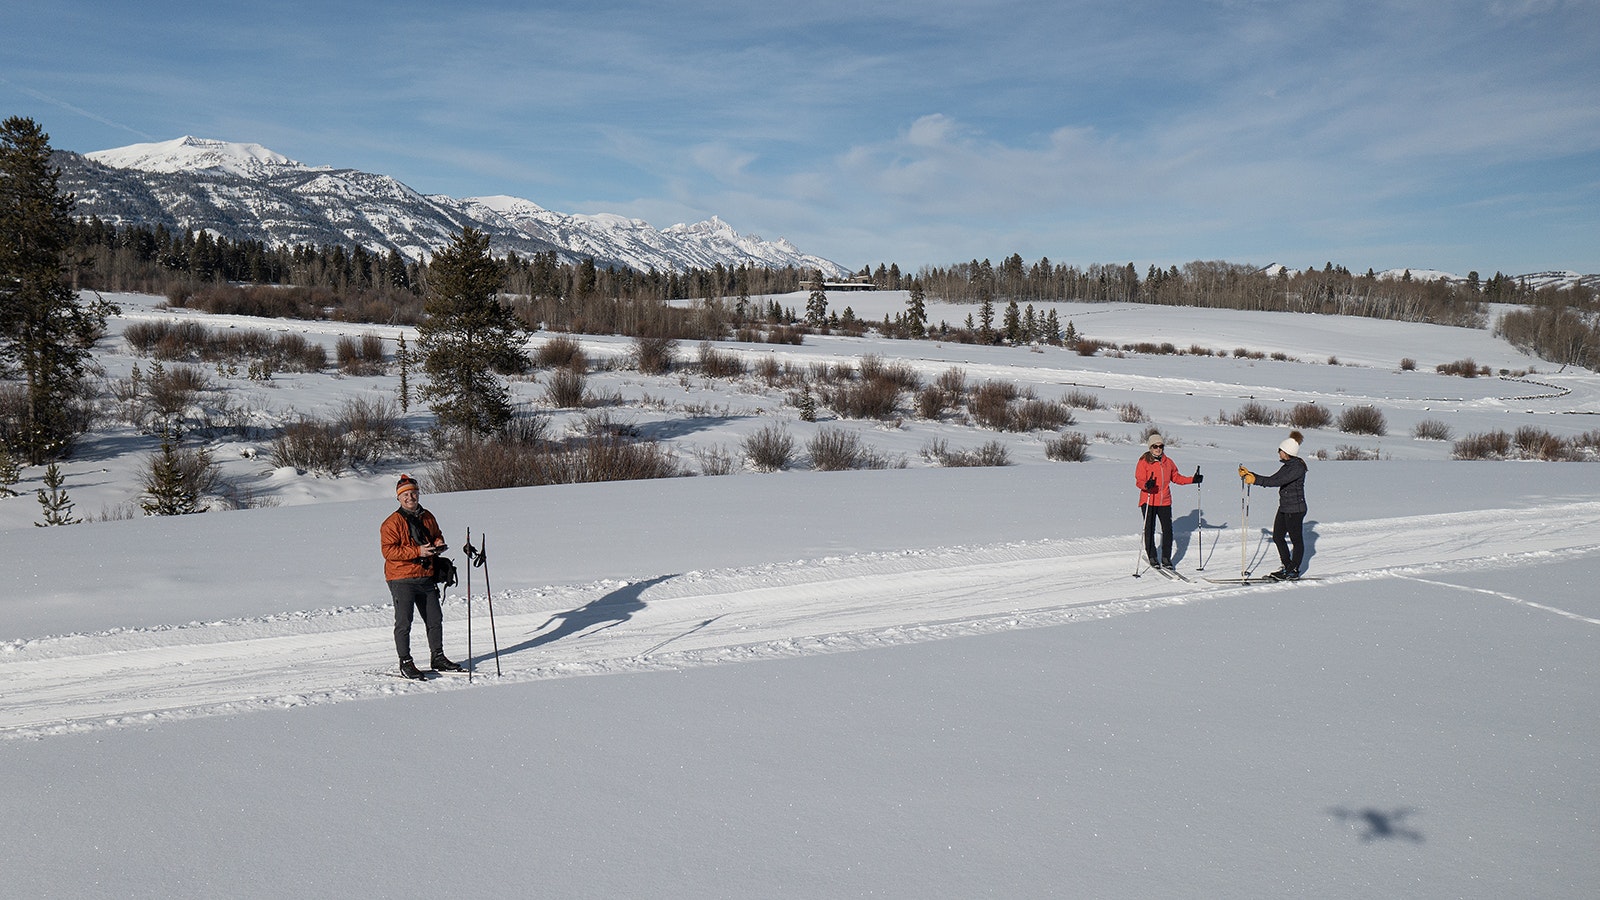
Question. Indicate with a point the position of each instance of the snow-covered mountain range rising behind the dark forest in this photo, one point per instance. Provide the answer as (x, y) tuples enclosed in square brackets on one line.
[(249, 193)]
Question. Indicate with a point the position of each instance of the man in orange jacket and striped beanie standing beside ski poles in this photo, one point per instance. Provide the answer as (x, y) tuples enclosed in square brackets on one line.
[(412, 542)]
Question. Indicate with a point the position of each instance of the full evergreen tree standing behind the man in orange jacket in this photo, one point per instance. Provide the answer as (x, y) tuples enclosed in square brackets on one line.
[(468, 337)]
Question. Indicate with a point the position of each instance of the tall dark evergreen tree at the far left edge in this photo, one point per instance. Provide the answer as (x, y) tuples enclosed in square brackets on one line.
[(44, 331)]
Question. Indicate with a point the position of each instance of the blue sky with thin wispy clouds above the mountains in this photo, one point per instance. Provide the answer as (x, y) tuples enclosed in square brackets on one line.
[(1431, 135)]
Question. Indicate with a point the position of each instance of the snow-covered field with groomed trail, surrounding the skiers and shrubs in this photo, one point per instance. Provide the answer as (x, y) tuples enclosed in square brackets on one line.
[(902, 683)]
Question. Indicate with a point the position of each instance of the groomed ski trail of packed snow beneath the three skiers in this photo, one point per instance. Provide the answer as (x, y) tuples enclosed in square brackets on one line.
[(79, 683)]
